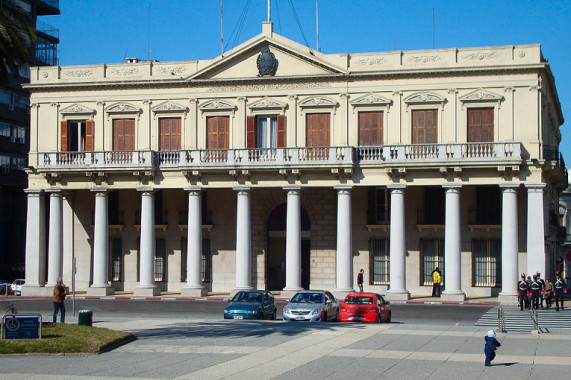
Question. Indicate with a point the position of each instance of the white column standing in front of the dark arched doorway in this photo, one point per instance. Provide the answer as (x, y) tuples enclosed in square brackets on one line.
[(293, 241)]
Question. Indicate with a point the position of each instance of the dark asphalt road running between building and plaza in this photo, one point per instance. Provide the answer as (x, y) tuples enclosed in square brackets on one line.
[(463, 315)]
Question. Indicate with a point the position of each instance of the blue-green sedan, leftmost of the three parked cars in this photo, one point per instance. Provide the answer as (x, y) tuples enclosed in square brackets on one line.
[(251, 304)]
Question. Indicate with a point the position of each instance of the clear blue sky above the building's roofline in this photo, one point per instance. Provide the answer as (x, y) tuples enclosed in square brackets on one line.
[(107, 31)]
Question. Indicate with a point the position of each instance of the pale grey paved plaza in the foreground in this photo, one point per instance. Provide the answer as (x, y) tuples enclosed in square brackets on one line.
[(210, 349)]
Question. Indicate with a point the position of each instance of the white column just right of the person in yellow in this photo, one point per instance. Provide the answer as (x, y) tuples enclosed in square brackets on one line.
[(452, 253)]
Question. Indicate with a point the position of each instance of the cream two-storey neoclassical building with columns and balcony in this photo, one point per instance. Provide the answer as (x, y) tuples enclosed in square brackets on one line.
[(277, 167)]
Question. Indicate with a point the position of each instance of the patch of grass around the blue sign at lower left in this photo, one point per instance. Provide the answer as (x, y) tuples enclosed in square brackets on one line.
[(62, 338)]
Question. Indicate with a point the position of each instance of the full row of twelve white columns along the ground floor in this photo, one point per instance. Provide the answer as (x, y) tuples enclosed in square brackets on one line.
[(35, 241)]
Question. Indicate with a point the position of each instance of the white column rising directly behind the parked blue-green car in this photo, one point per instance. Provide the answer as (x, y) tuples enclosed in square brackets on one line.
[(243, 240)]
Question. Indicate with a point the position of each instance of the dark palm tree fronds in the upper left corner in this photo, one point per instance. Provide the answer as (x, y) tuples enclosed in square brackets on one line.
[(17, 37)]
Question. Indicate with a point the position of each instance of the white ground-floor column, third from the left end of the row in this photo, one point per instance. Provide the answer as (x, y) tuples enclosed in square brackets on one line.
[(100, 286)]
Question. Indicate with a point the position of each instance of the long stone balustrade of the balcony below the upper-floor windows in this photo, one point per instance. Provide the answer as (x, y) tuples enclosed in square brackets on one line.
[(272, 158)]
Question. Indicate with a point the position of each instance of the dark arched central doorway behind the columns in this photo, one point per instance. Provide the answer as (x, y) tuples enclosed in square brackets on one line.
[(275, 255)]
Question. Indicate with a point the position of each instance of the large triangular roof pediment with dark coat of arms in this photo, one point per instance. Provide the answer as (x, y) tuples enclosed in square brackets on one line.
[(283, 59)]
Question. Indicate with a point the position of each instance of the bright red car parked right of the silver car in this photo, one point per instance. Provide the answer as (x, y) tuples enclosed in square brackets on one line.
[(364, 307)]
